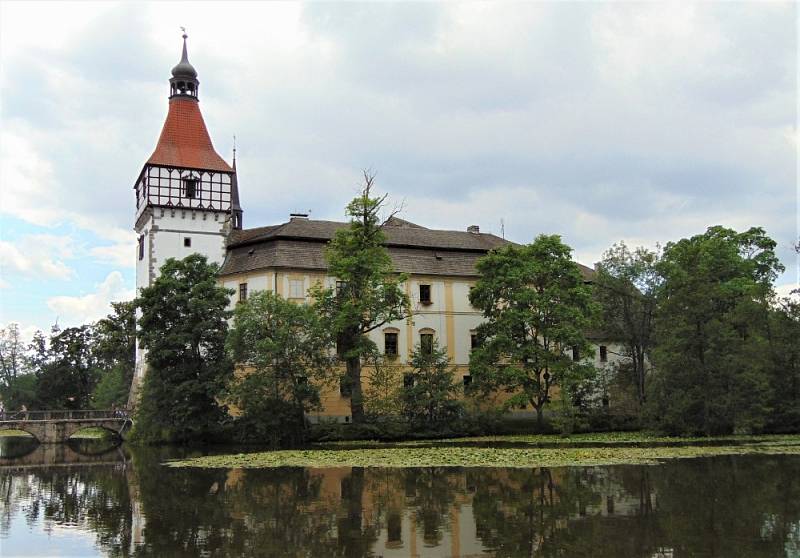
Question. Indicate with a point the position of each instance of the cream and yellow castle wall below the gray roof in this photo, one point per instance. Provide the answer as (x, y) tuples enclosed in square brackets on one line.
[(450, 317)]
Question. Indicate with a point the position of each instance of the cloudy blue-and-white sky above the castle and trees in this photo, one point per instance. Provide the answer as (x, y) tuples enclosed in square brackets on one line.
[(600, 122)]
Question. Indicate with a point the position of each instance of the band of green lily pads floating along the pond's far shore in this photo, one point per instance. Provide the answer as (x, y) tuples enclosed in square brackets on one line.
[(523, 455)]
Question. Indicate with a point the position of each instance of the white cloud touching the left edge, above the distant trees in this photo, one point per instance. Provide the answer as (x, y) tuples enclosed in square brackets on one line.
[(39, 255)]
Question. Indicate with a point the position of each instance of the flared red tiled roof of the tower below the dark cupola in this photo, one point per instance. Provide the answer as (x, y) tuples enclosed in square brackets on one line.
[(184, 140)]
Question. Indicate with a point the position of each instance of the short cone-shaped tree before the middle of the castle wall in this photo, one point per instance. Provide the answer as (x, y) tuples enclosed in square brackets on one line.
[(431, 398)]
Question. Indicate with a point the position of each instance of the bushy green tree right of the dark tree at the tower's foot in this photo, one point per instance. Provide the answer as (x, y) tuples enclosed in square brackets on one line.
[(285, 351)]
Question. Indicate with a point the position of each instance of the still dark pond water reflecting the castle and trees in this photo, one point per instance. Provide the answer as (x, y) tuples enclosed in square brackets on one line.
[(97, 500)]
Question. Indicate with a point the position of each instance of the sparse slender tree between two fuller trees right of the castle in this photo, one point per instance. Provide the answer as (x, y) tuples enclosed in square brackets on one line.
[(626, 283)]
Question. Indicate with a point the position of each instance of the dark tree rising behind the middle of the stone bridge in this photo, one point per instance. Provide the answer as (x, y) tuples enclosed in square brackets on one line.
[(67, 379)]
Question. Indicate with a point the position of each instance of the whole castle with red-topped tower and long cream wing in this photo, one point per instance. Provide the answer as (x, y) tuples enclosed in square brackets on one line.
[(187, 201)]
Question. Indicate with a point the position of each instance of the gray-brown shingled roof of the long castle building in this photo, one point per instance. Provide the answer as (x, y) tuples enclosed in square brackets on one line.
[(300, 244)]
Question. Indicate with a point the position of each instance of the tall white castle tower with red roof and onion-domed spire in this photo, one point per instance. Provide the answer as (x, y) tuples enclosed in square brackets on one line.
[(187, 197)]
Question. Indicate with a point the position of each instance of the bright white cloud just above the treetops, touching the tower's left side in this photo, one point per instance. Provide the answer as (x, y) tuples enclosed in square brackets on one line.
[(73, 310)]
